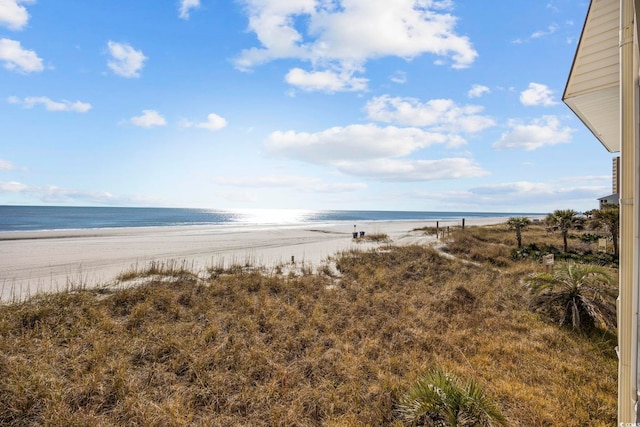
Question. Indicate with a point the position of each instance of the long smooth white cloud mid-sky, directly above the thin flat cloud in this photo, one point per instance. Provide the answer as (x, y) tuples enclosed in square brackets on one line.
[(354, 142)]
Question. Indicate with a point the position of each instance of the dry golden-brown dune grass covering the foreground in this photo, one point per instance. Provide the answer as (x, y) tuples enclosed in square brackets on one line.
[(248, 348)]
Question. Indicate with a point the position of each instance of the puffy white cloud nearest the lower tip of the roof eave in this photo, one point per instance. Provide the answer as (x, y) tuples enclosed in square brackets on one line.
[(538, 133)]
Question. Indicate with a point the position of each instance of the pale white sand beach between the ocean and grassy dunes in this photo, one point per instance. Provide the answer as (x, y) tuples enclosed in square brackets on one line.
[(49, 261)]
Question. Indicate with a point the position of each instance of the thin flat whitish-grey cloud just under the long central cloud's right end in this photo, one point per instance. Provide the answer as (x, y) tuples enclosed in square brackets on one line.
[(414, 170)]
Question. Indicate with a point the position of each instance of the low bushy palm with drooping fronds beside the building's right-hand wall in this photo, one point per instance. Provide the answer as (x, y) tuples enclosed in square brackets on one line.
[(579, 295)]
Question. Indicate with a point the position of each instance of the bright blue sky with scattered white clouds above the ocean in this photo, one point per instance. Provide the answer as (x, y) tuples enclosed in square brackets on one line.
[(448, 105)]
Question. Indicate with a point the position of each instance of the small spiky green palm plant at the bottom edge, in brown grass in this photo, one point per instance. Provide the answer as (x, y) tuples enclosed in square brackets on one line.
[(440, 399)]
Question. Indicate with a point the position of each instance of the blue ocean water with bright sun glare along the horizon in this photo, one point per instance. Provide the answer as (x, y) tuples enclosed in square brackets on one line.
[(39, 218)]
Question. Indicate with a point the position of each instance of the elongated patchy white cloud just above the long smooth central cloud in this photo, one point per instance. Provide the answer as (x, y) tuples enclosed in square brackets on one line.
[(439, 114)]
